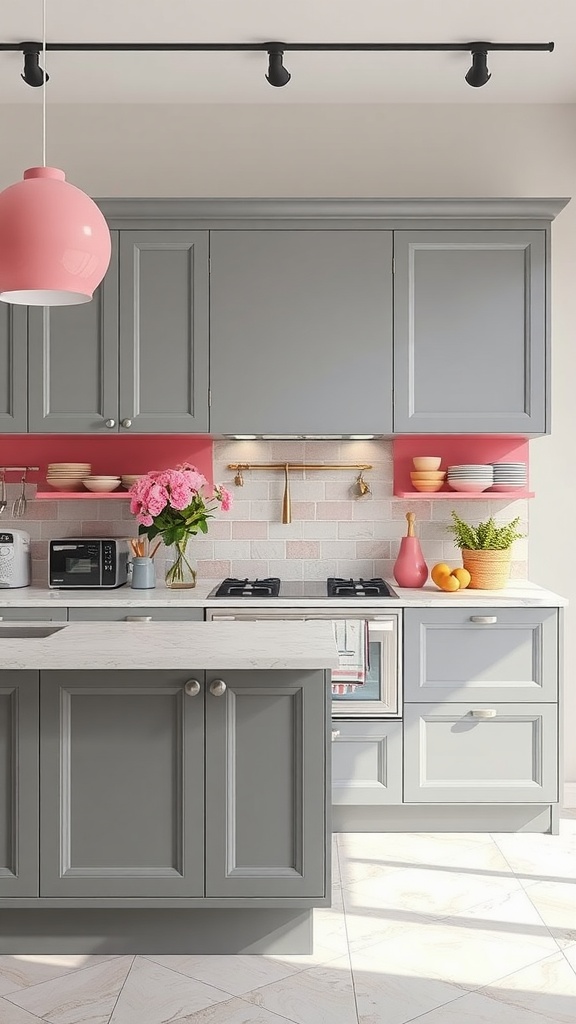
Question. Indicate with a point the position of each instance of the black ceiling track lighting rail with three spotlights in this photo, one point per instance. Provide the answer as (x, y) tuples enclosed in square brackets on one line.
[(277, 74)]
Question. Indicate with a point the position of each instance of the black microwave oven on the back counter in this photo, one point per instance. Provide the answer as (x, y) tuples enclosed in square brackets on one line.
[(89, 564)]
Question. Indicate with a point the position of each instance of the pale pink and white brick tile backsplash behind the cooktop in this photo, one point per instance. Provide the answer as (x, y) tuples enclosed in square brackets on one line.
[(334, 532)]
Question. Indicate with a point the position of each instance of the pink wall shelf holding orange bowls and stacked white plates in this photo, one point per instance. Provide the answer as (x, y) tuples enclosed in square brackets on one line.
[(455, 451)]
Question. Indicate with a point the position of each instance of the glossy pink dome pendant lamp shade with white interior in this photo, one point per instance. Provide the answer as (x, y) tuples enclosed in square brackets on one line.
[(55, 242)]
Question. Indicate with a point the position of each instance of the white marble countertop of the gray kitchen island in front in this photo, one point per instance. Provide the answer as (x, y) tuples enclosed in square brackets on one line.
[(192, 647)]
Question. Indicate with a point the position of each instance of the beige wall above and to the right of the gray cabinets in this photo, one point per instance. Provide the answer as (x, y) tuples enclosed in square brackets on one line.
[(438, 151)]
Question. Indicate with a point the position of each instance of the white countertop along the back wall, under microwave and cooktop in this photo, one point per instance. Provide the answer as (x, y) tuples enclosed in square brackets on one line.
[(521, 593)]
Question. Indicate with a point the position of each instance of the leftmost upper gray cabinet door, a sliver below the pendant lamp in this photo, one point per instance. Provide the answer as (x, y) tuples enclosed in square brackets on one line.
[(14, 369)]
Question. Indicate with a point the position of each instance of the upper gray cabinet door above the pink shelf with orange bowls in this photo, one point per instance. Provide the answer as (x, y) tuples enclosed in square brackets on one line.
[(470, 332)]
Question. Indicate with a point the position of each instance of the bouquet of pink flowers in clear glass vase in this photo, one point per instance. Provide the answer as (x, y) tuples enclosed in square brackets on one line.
[(171, 504)]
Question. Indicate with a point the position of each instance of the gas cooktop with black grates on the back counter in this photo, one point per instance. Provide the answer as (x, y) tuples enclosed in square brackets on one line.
[(334, 587)]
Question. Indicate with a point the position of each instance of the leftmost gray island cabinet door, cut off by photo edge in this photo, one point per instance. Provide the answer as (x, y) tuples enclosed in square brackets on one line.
[(19, 784)]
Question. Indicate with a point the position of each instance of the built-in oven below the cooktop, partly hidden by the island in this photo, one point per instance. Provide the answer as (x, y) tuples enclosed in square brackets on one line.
[(380, 696)]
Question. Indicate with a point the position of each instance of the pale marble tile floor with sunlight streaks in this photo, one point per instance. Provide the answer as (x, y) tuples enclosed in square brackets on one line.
[(437, 928)]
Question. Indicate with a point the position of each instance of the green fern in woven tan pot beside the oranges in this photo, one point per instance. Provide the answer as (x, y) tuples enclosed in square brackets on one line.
[(486, 550)]
